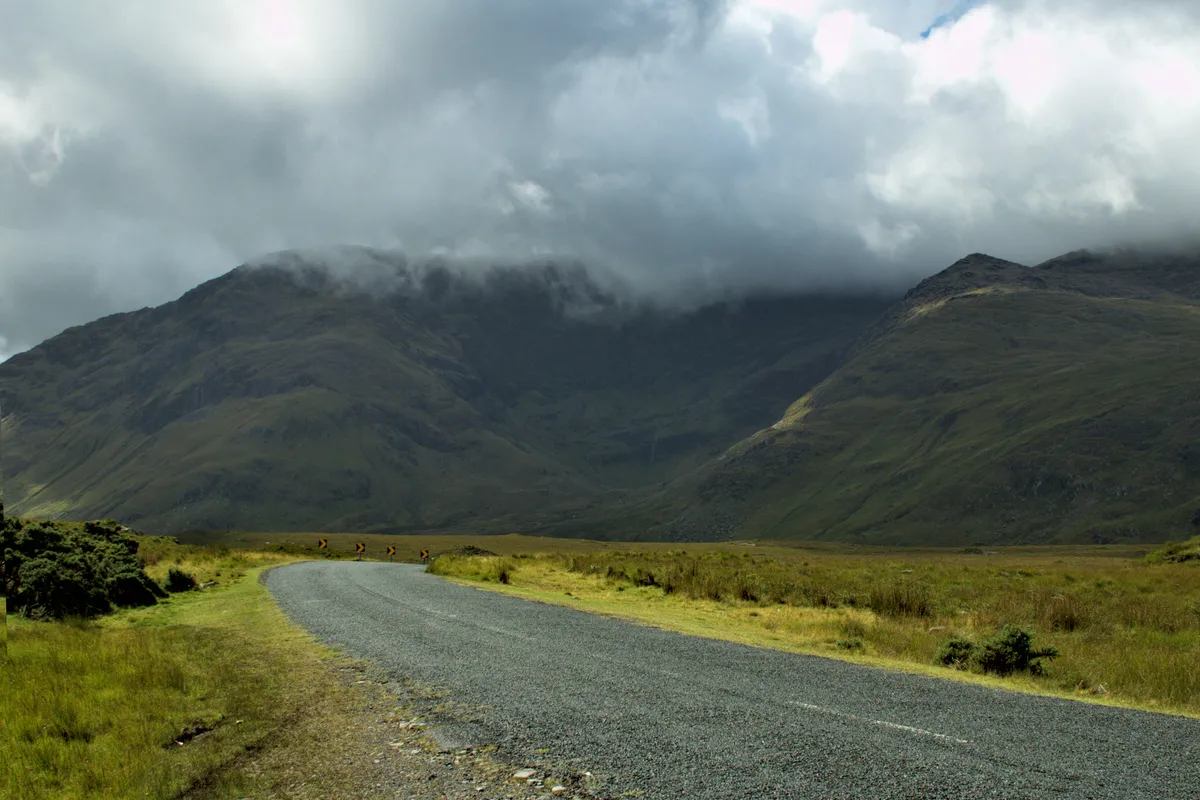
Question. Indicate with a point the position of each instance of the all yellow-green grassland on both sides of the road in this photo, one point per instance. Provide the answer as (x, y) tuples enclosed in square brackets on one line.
[(214, 694)]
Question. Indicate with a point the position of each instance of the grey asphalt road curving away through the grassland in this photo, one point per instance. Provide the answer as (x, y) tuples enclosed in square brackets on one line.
[(677, 717)]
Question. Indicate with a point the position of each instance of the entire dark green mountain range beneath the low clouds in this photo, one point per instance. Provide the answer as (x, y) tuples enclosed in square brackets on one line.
[(995, 404)]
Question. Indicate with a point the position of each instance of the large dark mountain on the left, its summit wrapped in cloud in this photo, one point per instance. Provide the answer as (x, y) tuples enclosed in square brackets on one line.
[(289, 396)]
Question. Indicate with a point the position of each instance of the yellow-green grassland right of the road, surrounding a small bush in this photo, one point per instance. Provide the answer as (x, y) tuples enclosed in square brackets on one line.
[(1129, 633)]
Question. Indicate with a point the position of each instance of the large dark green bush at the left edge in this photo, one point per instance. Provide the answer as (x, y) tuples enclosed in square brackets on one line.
[(56, 570)]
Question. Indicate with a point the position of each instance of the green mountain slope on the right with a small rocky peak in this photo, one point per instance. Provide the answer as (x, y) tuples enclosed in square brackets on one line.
[(995, 405)]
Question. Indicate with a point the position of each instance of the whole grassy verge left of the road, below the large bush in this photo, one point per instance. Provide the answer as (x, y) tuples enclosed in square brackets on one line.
[(184, 699)]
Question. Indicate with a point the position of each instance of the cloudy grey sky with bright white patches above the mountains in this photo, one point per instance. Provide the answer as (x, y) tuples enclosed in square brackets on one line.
[(730, 145)]
